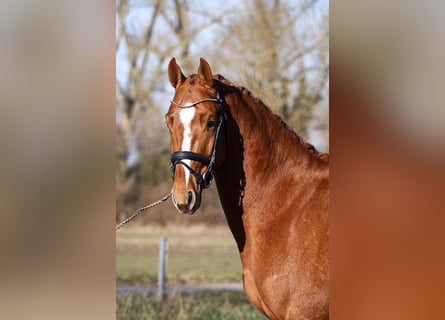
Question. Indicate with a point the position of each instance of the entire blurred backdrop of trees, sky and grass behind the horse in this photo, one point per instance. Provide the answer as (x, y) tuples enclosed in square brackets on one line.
[(279, 51)]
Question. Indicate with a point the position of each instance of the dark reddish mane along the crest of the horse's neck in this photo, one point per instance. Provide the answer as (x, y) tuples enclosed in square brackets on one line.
[(307, 147)]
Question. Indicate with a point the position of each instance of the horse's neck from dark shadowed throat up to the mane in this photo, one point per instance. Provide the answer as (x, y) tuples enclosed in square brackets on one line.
[(261, 148)]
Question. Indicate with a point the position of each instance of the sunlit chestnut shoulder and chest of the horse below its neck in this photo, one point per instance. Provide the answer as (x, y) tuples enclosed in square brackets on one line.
[(289, 253)]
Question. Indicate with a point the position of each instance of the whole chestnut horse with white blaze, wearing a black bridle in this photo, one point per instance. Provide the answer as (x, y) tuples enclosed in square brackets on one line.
[(273, 189)]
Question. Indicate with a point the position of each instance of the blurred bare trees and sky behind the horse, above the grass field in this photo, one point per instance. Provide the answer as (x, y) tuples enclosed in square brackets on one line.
[(277, 49)]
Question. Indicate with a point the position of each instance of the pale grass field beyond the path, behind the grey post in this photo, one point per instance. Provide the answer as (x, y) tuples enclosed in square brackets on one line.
[(196, 254)]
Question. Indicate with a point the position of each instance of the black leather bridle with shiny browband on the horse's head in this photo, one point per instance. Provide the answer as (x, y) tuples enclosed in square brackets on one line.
[(204, 180)]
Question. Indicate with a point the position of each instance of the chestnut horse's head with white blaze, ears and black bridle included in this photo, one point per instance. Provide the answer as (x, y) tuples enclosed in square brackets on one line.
[(195, 120)]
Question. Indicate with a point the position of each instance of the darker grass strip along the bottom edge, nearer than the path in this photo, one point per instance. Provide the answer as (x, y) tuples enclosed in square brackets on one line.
[(220, 305)]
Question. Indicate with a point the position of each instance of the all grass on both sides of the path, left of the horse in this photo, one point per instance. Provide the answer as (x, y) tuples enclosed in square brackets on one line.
[(196, 254)]
